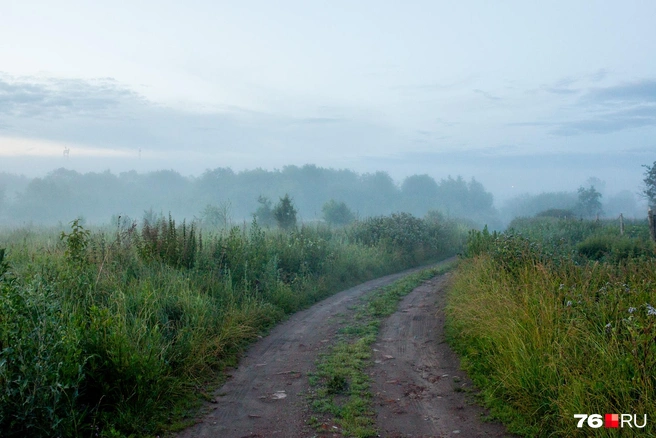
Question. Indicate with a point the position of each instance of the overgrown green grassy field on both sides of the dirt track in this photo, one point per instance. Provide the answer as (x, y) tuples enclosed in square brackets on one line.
[(122, 330)]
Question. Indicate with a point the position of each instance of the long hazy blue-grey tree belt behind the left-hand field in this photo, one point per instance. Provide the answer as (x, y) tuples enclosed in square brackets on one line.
[(97, 196)]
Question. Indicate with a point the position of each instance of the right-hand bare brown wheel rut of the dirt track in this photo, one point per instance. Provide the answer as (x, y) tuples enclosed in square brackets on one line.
[(419, 388)]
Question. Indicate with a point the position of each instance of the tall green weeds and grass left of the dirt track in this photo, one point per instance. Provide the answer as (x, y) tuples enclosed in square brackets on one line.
[(118, 331)]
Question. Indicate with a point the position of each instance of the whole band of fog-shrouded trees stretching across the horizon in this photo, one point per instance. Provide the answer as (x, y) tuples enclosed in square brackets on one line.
[(223, 197)]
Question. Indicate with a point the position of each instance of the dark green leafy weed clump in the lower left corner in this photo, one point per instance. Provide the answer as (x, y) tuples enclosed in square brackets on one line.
[(41, 363)]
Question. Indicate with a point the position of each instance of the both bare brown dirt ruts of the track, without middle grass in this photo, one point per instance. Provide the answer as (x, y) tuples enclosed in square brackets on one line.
[(419, 389)]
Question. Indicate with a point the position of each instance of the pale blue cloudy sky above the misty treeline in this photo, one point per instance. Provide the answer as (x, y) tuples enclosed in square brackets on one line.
[(523, 96)]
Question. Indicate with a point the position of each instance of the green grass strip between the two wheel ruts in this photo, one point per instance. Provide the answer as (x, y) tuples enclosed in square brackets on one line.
[(341, 392)]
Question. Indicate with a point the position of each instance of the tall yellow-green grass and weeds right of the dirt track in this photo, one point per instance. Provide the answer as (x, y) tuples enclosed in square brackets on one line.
[(557, 317)]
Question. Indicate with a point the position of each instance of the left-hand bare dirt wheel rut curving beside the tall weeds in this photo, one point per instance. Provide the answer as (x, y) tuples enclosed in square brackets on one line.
[(266, 395)]
